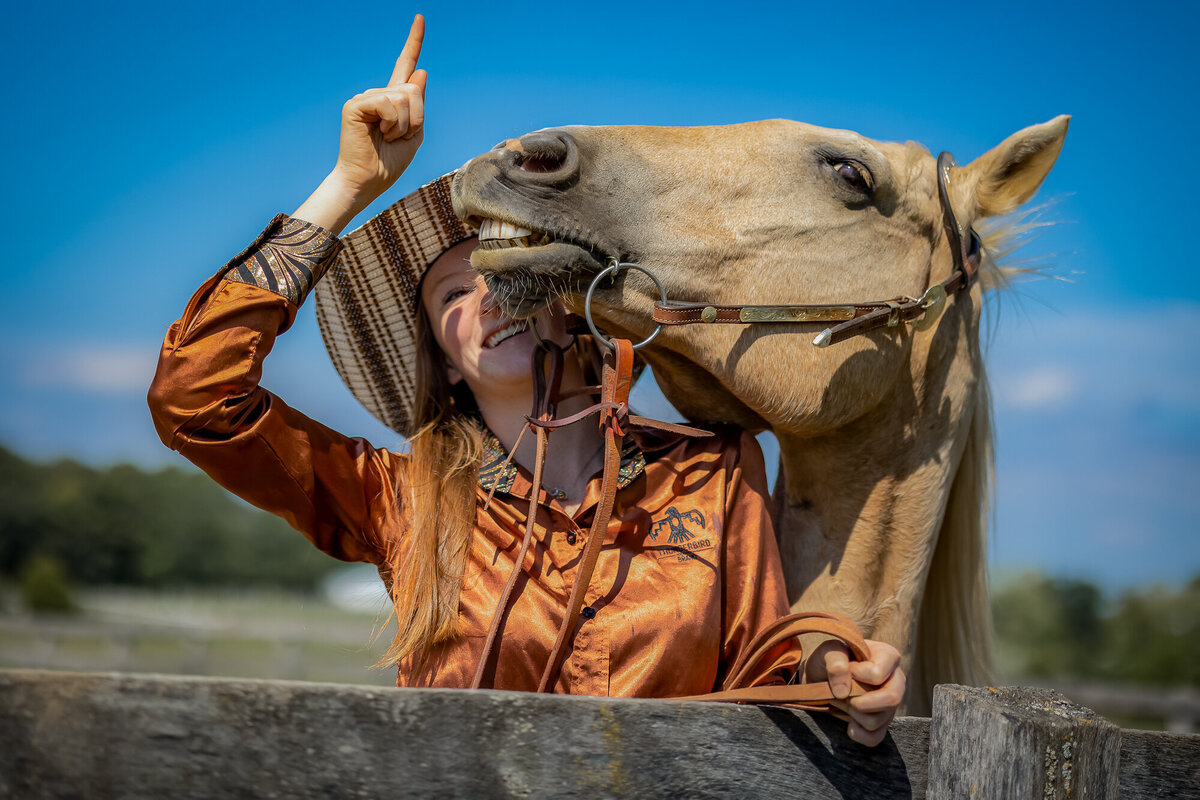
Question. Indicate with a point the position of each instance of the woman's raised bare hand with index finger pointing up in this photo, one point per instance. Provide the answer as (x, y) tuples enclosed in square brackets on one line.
[(382, 130)]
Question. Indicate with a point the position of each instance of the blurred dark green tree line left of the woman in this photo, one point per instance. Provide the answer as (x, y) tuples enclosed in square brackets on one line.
[(157, 530)]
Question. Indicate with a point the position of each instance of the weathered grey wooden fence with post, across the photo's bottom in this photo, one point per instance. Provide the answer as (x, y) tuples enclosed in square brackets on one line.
[(119, 736)]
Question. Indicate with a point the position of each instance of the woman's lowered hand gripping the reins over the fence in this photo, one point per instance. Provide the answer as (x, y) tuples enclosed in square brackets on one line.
[(872, 713)]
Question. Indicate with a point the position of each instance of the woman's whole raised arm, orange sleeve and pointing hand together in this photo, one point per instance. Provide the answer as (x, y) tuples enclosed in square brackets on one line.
[(206, 400)]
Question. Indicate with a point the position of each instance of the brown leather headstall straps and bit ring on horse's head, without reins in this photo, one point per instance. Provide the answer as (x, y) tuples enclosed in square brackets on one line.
[(853, 318)]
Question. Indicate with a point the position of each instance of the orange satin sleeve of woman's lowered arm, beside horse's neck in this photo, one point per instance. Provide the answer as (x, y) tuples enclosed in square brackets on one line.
[(755, 593)]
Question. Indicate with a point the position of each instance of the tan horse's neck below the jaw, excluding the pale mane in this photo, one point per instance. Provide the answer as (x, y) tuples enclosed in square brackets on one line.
[(862, 506)]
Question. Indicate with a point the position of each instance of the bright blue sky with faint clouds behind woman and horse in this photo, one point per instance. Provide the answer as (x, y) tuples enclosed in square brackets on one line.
[(147, 143)]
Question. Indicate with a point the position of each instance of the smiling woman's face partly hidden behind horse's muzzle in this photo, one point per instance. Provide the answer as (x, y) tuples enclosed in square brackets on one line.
[(490, 352)]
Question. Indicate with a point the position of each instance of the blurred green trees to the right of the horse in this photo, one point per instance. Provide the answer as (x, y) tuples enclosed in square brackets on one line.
[(1057, 628)]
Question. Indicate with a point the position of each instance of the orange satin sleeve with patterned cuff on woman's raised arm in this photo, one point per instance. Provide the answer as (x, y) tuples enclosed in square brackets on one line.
[(207, 404)]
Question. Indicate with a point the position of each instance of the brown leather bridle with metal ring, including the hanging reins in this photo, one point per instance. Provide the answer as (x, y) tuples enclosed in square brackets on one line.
[(615, 417)]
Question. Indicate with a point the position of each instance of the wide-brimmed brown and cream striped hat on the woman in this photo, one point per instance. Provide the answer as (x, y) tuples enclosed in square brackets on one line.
[(368, 300)]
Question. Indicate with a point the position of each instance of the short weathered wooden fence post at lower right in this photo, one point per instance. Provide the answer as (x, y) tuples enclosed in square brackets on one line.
[(1019, 743)]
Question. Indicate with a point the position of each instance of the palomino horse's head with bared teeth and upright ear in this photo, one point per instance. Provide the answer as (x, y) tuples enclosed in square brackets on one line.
[(761, 213)]
